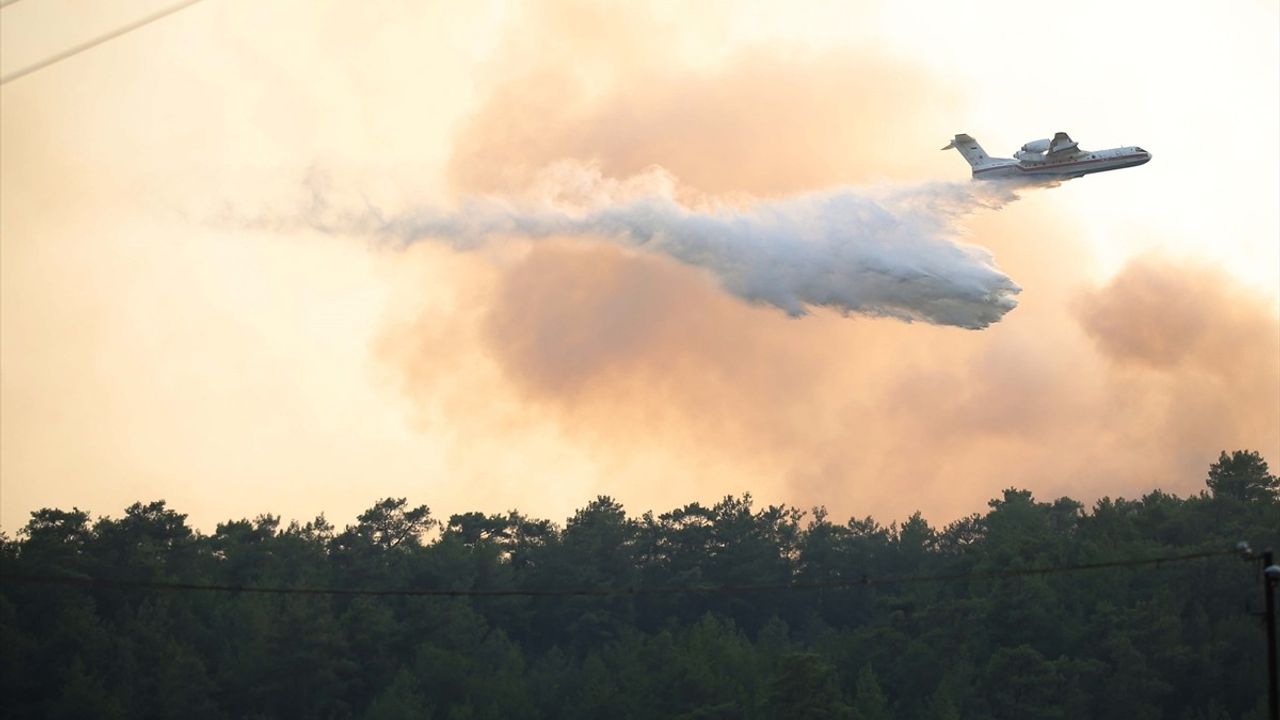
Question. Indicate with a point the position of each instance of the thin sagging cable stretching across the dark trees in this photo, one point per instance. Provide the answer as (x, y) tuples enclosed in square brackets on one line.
[(79, 581)]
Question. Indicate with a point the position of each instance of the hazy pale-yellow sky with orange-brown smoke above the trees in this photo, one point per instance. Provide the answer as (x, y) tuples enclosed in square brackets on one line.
[(171, 330)]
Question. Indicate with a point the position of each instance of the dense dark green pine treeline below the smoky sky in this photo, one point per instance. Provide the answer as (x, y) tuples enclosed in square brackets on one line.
[(1177, 641)]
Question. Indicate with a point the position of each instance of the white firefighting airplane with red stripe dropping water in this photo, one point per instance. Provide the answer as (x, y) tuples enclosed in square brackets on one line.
[(1055, 160)]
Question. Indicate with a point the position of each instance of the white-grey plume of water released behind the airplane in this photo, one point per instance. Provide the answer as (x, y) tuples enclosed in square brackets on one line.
[(875, 253)]
